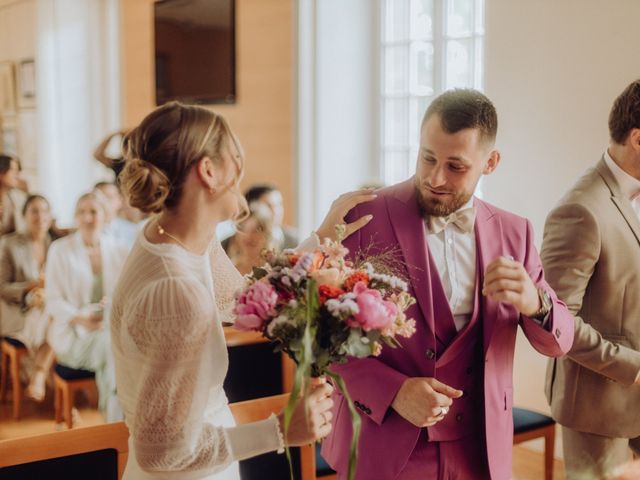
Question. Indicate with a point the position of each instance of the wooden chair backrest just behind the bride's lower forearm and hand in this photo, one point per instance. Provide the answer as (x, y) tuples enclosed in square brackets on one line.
[(261, 408)]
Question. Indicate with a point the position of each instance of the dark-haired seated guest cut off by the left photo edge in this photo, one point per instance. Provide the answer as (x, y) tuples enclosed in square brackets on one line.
[(11, 197)]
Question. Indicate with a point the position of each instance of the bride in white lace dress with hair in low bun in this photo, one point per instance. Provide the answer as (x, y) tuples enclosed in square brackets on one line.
[(175, 291)]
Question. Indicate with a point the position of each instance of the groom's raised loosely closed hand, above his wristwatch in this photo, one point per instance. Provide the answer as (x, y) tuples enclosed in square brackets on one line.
[(506, 280)]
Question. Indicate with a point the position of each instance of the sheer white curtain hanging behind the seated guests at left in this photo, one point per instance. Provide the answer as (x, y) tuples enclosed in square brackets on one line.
[(78, 90)]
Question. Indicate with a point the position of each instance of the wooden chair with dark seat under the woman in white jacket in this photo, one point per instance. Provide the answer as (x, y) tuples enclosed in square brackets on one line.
[(66, 383)]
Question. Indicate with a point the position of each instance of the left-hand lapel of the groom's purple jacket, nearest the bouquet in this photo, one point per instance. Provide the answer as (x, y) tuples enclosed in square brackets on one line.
[(409, 229)]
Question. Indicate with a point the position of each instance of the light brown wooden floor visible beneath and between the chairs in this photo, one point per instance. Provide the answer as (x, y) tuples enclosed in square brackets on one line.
[(38, 418)]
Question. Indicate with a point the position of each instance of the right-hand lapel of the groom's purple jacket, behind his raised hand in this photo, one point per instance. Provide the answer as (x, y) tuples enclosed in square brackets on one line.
[(489, 246)]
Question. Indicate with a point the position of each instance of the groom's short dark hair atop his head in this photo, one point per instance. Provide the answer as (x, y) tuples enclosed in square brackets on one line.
[(464, 108)]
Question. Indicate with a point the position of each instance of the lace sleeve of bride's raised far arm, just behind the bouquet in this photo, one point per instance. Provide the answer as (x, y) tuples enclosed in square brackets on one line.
[(226, 282)]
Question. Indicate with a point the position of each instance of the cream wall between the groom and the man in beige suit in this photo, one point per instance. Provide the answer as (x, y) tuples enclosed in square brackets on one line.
[(553, 68)]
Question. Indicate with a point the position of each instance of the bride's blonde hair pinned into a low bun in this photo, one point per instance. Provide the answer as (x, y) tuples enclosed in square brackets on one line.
[(160, 152)]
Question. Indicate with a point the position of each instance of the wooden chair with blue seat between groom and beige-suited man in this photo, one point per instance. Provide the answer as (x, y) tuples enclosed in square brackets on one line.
[(528, 425)]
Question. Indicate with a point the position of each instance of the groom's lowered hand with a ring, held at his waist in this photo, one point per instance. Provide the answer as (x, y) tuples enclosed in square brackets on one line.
[(424, 401)]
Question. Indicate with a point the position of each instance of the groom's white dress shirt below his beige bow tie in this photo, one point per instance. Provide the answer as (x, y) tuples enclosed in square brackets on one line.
[(454, 253)]
